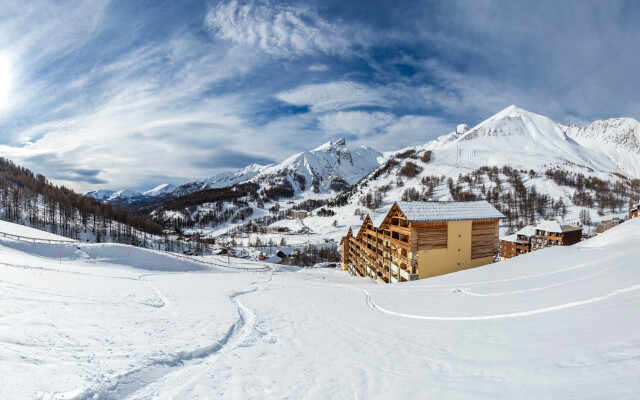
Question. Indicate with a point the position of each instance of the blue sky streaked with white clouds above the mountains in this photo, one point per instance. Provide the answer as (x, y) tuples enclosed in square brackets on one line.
[(98, 94)]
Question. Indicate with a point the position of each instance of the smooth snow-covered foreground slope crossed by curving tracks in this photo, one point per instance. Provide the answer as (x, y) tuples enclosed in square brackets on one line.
[(109, 321)]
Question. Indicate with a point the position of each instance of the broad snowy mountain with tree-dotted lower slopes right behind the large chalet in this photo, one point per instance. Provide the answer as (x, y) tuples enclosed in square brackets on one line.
[(529, 166)]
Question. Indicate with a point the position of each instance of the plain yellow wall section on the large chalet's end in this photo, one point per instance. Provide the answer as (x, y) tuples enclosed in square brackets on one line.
[(444, 261)]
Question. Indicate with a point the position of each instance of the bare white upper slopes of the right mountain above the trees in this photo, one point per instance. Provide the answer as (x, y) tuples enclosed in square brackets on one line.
[(523, 139)]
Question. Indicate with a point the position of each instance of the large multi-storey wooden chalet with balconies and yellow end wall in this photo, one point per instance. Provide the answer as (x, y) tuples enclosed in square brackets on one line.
[(417, 240)]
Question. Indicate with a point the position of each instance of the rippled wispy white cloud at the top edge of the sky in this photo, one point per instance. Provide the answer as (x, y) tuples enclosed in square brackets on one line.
[(279, 30)]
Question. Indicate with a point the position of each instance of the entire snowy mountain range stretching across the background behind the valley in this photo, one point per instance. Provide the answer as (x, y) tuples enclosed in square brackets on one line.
[(522, 162)]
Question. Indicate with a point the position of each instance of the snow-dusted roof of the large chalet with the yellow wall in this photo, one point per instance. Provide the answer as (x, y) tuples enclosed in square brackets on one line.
[(424, 211)]
